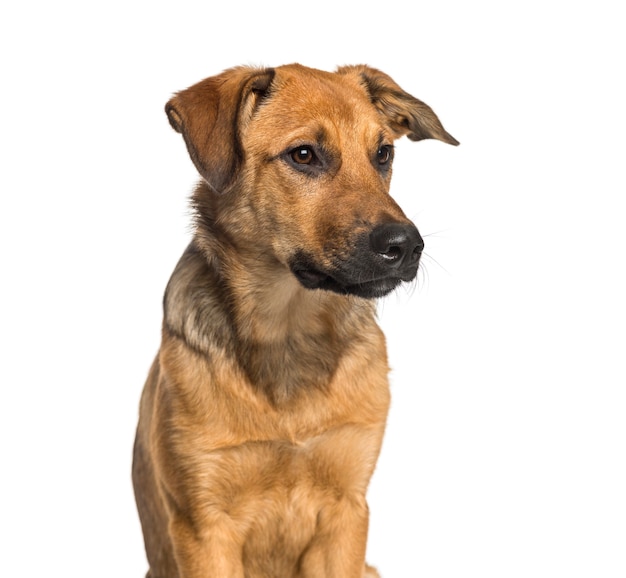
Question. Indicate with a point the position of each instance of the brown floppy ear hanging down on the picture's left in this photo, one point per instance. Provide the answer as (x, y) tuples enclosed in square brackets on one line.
[(211, 115)]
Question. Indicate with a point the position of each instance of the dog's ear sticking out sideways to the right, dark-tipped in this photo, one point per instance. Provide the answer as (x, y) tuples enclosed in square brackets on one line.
[(406, 115)]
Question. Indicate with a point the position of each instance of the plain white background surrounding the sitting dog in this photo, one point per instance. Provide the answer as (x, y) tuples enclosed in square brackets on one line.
[(505, 454)]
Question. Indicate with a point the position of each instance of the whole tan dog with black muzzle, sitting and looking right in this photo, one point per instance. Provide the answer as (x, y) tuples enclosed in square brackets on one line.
[(263, 415)]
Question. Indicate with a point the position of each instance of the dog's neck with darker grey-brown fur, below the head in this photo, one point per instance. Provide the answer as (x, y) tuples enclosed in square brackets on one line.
[(286, 337)]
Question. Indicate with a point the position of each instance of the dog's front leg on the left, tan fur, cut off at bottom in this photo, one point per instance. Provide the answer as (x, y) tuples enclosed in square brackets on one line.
[(210, 552)]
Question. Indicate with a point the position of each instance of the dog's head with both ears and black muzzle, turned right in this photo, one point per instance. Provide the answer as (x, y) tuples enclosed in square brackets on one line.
[(299, 161)]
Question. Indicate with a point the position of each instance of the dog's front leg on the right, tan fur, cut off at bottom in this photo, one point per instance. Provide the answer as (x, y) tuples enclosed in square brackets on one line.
[(338, 548)]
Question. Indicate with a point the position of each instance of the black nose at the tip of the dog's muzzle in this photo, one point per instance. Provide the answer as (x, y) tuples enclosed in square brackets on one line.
[(400, 245)]
